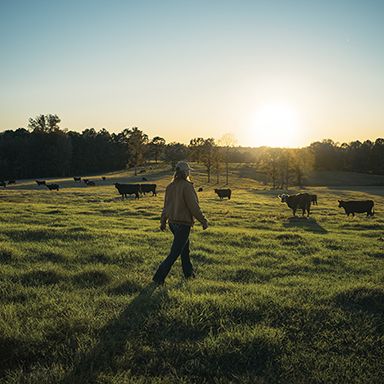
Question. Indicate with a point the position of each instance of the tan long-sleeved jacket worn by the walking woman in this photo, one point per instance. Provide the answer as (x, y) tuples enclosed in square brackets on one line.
[(181, 204)]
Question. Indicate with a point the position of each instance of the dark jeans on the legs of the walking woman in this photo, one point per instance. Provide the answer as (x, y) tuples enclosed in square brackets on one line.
[(180, 246)]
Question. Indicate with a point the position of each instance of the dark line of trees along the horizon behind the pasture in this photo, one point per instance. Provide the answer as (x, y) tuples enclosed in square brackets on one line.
[(45, 150)]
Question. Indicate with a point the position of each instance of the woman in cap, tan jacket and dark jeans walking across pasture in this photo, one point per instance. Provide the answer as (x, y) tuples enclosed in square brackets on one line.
[(181, 206)]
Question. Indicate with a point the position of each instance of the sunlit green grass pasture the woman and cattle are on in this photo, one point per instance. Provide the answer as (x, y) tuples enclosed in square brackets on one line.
[(275, 300)]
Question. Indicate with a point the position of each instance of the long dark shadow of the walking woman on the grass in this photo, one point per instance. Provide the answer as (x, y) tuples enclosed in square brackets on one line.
[(114, 336)]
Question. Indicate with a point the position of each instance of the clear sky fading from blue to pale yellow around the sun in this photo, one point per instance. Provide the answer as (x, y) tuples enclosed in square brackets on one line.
[(274, 72)]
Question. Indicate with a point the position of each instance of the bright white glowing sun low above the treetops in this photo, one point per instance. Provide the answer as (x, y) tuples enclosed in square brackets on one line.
[(275, 125)]
